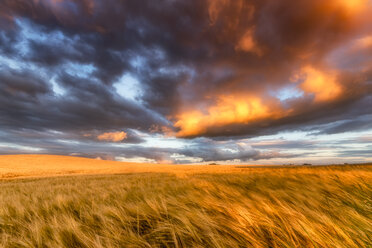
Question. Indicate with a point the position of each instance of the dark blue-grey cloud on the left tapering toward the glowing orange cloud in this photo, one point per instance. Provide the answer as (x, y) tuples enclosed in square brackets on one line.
[(28, 102)]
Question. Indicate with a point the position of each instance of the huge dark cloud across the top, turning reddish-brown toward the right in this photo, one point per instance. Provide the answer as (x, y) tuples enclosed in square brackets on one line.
[(184, 32)]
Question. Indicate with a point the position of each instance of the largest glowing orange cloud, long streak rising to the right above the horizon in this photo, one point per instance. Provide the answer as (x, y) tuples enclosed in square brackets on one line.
[(240, 109)]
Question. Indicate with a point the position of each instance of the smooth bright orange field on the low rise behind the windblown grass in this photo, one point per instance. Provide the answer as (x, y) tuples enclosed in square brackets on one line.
[(23, 166)]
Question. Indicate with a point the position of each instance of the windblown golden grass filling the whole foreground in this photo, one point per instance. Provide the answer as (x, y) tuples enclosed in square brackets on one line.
[(257, 207)]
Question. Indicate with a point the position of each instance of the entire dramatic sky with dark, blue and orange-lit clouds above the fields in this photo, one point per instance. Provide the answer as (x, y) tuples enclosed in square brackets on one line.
[(196, 81)]
